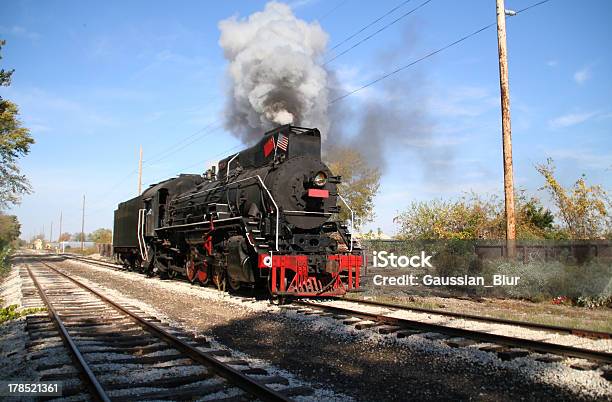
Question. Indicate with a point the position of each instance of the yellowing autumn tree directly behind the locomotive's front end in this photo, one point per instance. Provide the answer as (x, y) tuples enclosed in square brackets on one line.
[(359, 185)]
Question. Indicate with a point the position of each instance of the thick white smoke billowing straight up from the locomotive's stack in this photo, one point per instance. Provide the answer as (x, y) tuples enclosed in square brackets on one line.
[(275, 72)]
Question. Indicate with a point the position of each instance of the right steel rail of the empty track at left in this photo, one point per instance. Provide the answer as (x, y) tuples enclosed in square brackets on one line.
[(234, 376)]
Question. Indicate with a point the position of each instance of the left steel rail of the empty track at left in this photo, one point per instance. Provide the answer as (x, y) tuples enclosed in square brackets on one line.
[(96, 387)]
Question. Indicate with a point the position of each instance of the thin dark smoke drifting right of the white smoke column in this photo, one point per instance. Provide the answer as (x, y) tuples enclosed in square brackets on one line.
[(392, 116)]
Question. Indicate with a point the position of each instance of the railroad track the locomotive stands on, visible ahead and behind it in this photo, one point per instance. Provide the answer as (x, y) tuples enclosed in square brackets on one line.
[(505, 346)]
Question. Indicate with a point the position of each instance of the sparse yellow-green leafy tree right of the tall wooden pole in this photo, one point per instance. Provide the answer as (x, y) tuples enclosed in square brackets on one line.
[(583, 209)]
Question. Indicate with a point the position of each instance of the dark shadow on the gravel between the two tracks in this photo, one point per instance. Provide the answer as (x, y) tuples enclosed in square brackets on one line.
[(377, 372)]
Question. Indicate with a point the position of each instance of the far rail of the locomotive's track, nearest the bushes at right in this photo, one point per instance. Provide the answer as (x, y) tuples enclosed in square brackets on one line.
[(527, 324)]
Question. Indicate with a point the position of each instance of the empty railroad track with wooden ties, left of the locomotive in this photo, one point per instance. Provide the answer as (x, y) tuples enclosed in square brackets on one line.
[(120, 353)]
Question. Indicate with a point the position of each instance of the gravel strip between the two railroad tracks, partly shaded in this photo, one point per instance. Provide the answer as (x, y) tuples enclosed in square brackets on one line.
[(362, 364)]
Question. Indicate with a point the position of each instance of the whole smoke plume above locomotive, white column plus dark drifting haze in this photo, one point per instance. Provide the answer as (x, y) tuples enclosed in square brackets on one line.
[(276, 77)]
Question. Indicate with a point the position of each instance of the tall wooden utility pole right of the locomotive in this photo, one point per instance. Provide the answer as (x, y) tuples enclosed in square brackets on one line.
[(506, 130)]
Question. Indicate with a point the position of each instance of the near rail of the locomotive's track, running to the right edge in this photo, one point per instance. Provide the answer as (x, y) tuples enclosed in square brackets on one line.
[(505, 340)]
